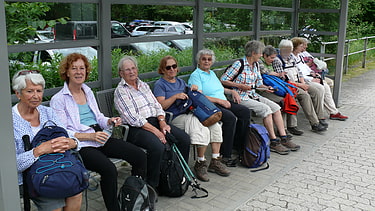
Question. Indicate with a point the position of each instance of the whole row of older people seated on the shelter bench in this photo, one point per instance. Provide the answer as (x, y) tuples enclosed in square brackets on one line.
[(75, 108)]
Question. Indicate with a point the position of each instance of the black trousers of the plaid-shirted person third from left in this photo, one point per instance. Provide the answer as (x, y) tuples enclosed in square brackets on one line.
[(155, 148)]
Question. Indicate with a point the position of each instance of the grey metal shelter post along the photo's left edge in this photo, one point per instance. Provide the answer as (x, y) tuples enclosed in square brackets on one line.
[(9, 193)]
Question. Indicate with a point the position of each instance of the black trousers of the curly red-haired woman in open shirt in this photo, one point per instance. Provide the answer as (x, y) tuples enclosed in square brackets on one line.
[(97, 159)]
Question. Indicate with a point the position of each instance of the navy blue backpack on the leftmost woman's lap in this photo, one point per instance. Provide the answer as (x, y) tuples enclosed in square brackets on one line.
[(55, 175)]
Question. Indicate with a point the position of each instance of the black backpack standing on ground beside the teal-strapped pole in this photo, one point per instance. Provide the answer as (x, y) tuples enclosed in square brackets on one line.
[(173, 181)]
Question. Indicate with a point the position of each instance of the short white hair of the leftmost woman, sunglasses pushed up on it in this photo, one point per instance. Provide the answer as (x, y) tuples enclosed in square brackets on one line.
[(19, 81)]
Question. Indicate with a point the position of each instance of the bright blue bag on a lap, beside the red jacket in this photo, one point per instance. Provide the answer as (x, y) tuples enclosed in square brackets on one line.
[(281, 87)]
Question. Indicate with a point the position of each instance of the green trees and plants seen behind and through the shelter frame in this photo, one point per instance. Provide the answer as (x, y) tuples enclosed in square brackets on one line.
[(24, 18)]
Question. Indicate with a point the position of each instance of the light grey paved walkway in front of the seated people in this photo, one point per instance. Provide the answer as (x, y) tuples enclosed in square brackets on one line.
[(332, 171)]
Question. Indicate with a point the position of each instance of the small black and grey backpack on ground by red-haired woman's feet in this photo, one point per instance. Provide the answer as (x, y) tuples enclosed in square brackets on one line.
[(135, 195)]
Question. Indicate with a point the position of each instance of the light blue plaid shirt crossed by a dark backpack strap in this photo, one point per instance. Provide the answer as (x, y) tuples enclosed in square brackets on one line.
[(249, 76)]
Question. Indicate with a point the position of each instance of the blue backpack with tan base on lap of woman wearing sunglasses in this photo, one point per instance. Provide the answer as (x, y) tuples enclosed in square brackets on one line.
[(206, 111)]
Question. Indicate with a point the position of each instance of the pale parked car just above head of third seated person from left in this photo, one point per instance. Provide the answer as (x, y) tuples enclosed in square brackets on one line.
[(145, 47)]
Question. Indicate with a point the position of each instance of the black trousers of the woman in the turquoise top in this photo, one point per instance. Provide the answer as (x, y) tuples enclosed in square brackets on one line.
[(236, 120)]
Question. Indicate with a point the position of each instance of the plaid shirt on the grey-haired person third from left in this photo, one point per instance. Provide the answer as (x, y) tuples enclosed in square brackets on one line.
[(136, 105)]
